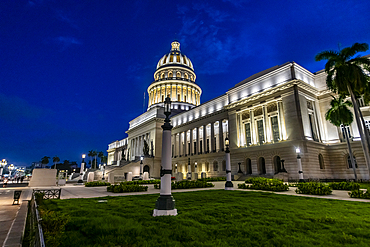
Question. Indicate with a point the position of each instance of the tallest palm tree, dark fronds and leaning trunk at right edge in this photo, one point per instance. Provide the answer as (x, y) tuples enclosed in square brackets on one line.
[(347, 75)]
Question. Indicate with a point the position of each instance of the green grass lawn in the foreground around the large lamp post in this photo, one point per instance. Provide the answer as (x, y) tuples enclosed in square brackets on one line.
[(215, 218)]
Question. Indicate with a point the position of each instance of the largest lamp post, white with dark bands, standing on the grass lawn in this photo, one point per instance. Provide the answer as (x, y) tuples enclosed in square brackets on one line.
[(165, 204)]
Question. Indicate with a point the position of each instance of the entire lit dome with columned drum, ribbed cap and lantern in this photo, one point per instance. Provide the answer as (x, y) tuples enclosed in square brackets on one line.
[(174, 77)]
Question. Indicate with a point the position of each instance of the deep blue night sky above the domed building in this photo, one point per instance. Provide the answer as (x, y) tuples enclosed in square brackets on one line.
[(73, 73)]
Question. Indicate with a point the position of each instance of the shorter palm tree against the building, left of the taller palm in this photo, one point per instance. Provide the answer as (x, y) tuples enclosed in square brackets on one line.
[(340, 115)]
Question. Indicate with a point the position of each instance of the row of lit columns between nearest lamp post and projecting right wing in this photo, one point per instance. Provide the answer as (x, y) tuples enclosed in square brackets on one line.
[(208, 138)]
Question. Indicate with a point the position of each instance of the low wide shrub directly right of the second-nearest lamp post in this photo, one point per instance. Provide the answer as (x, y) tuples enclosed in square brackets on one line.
[(260, 183)]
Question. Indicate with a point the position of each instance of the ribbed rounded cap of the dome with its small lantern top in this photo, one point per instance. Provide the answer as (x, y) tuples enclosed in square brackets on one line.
[(175, 57)]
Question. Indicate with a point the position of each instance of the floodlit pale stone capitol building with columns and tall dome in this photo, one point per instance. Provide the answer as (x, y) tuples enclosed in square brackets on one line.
[(266, 117)]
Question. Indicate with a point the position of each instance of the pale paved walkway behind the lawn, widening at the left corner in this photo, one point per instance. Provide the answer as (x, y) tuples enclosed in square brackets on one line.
[(13, 217)]
